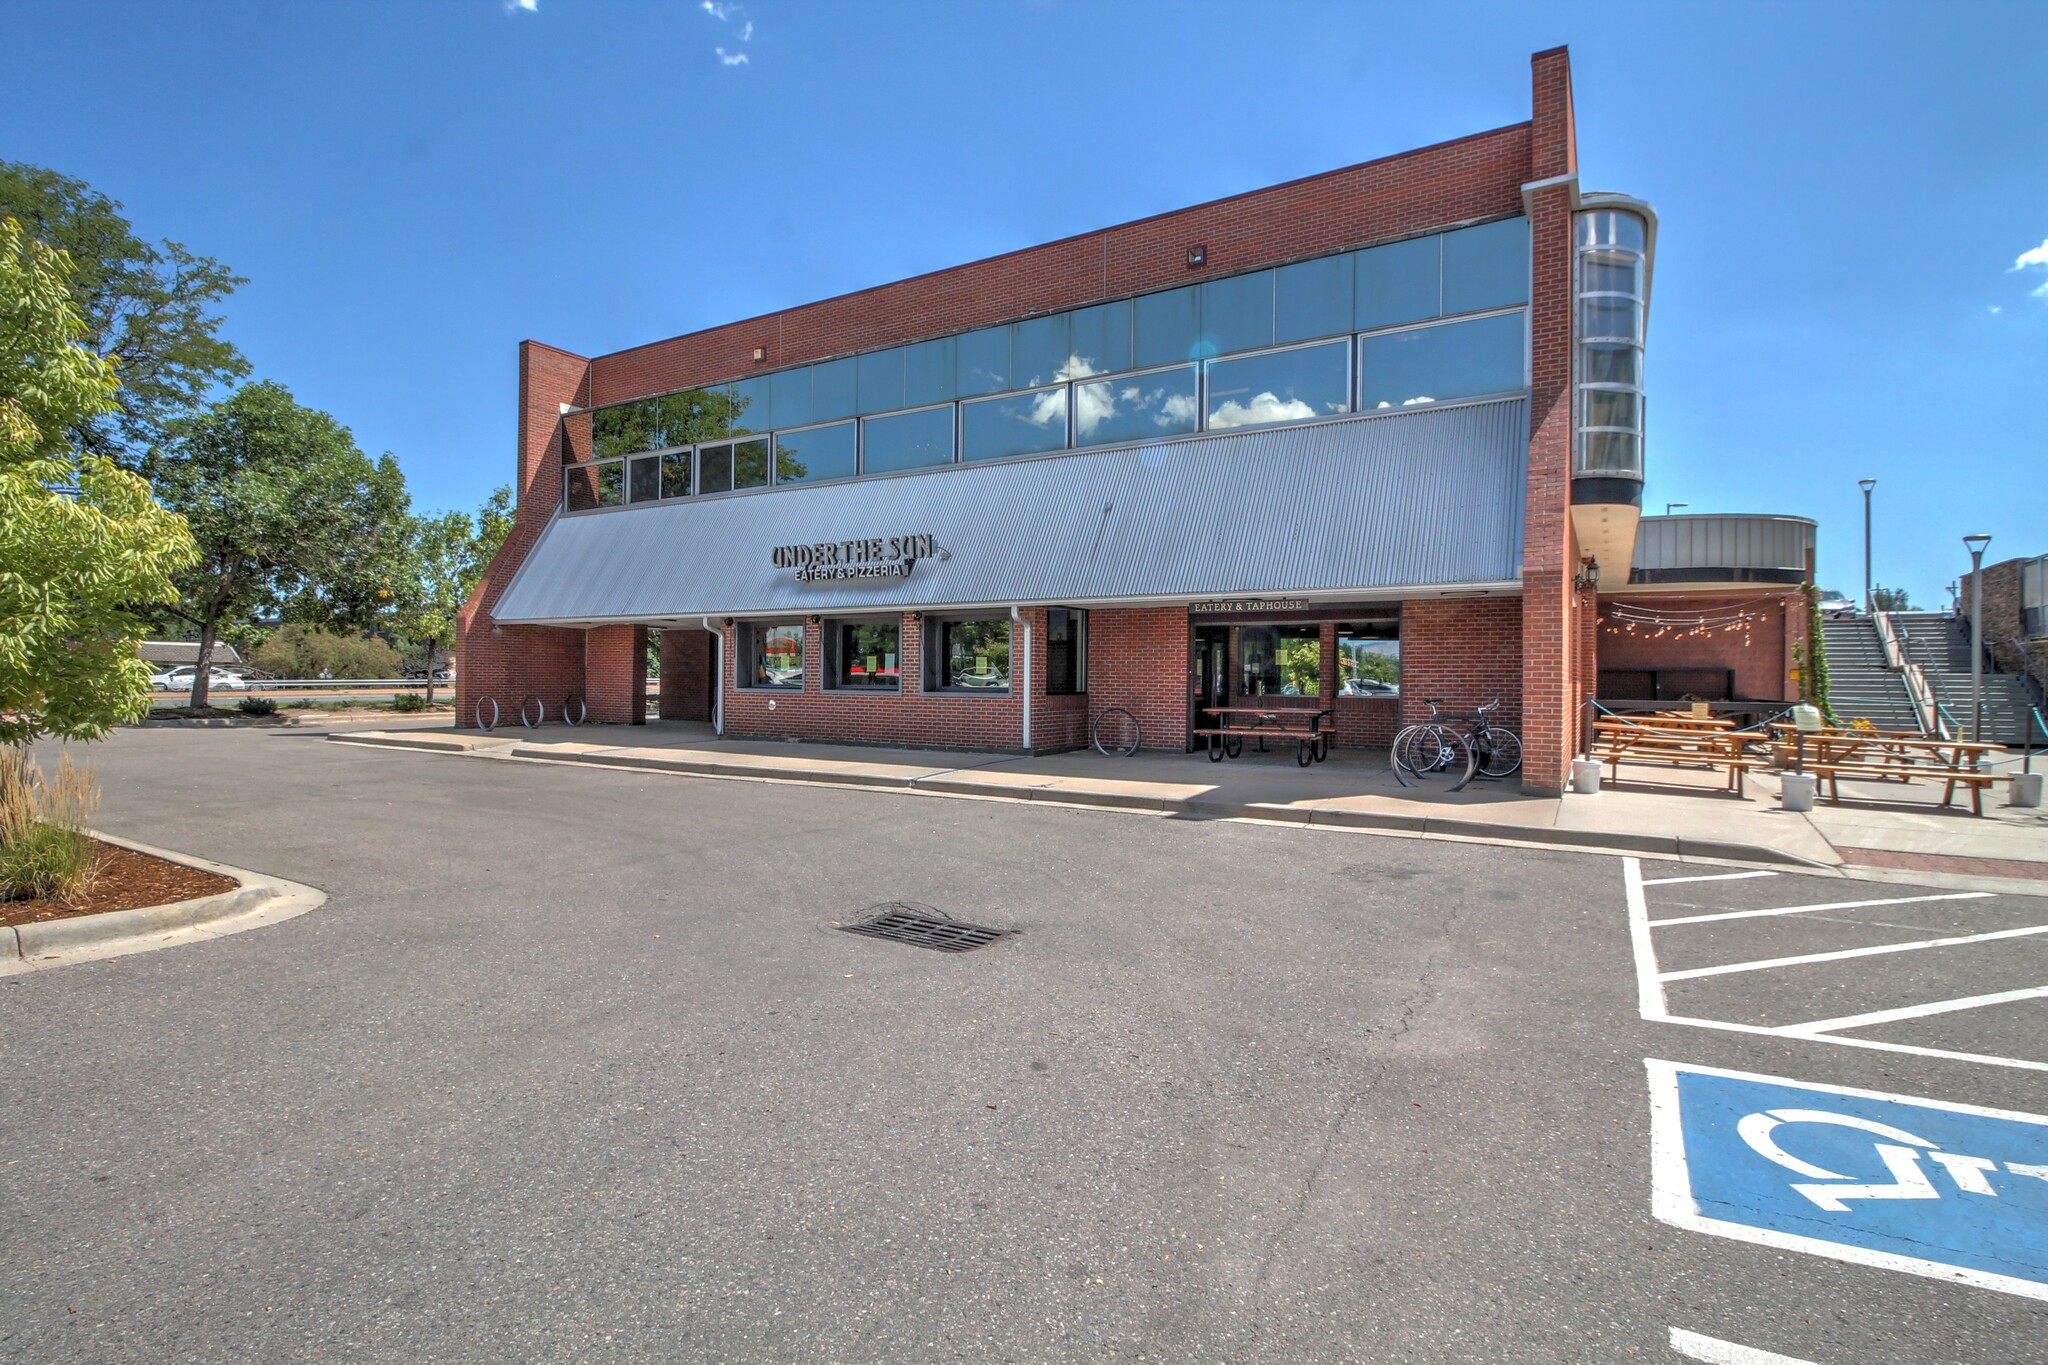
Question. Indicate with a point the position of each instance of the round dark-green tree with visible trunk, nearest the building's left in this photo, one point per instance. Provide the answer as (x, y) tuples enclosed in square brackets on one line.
[(286, 511)]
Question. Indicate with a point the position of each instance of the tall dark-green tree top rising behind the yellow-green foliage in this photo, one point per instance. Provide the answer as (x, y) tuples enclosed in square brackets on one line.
[(148, 310)]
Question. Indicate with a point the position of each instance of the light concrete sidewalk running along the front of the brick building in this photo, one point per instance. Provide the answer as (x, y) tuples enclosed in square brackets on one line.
[(1881, 832)]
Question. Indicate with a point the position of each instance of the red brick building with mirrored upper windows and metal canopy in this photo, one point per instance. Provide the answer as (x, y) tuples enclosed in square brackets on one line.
[(1347, 443)]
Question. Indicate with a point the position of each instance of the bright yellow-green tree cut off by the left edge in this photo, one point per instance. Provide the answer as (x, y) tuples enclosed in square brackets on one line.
[(81, 541)]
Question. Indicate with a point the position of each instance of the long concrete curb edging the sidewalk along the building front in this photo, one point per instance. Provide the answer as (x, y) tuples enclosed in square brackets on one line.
[(959, 785)]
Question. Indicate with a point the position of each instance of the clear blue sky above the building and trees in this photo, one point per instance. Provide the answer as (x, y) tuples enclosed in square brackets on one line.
[(413, 187)]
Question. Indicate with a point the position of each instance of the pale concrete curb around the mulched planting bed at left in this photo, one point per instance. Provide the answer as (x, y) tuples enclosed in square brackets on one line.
[(118, 934)]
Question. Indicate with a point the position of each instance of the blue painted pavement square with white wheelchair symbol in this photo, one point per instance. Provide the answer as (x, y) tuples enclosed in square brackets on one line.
[(1918, 1186)]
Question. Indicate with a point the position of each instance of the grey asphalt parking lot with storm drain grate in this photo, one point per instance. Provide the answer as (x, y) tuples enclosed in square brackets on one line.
[(579, 1065)]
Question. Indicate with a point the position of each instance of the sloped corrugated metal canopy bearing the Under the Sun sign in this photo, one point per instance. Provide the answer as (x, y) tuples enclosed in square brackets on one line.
[(1404, 500)]
